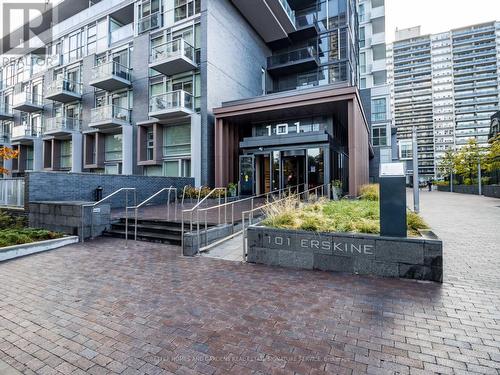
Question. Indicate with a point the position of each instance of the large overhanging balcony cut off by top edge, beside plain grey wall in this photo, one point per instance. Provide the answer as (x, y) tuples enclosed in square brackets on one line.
[(272, 19)]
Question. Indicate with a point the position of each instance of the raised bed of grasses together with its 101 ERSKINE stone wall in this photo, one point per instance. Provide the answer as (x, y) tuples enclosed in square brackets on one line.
[(343, 236)]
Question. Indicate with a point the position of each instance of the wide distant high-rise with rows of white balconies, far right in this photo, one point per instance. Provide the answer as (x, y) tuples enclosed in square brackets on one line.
[(446, 85)]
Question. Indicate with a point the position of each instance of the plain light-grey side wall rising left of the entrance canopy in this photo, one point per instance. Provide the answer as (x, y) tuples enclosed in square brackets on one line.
[(232, 64)]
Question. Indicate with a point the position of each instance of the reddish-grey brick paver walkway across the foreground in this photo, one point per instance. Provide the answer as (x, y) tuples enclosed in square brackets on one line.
[(100, 308)]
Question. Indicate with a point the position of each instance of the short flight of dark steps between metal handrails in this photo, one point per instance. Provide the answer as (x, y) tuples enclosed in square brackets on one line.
[(148, 230)]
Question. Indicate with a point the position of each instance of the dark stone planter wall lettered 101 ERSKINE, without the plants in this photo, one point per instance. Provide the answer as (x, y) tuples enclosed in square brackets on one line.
[(365, 254)]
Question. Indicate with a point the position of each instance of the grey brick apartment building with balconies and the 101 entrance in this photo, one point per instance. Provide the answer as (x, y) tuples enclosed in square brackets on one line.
[(130, 87)]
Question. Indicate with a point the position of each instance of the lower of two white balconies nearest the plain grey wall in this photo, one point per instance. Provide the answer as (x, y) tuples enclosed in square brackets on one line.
[(174, 104)]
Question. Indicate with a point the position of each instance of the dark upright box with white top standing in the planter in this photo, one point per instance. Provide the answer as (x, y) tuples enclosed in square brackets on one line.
[(392, 200)]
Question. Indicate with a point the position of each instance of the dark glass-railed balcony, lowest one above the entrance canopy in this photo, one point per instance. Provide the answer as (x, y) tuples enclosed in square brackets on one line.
[(291, 62)]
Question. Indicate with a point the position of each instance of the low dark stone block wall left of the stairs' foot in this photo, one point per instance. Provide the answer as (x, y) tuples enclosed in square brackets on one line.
[(66, 217)]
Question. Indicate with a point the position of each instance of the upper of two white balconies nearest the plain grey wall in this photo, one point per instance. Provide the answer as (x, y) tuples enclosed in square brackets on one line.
[(173, 57)]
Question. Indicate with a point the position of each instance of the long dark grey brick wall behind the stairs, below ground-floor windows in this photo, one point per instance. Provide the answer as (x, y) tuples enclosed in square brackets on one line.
[(60, 186)]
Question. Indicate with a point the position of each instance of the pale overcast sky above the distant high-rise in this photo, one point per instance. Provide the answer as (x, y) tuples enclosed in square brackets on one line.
[(438, 15)]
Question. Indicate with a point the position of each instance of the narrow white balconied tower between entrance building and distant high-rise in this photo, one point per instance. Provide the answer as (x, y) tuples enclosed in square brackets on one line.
[(375, 89)]
